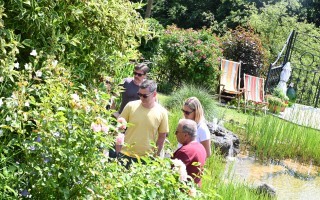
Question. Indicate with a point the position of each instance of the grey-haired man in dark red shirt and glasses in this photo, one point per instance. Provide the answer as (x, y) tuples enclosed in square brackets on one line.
[(191, 153)]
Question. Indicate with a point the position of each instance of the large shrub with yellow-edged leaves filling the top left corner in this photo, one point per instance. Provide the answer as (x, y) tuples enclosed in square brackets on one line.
[(93, 38)]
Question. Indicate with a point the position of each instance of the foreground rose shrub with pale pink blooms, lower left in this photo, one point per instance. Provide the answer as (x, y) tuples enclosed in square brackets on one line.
[(50, 148)]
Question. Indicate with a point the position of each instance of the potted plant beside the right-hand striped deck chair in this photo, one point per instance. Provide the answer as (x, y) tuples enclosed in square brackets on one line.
[(278, 101)]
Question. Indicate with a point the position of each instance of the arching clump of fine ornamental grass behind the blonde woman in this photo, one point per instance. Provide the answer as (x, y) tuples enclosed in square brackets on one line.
[(177, 99)]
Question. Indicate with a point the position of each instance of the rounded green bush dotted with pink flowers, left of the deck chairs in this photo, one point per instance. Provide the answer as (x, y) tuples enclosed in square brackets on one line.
[(187, 56)]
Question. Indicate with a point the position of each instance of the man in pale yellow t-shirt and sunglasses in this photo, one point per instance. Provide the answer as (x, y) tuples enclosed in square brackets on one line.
[(149, 124)]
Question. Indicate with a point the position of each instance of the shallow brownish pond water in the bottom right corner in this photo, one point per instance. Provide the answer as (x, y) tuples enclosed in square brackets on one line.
[(290, 179)]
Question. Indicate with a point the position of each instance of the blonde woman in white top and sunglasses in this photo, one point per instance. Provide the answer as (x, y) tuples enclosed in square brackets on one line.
[(192, 109)]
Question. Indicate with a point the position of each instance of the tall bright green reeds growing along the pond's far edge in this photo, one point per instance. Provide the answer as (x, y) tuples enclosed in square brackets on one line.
[(272, 137)]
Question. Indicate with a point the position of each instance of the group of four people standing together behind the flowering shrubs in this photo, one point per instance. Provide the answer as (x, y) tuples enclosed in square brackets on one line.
[(149, 120)]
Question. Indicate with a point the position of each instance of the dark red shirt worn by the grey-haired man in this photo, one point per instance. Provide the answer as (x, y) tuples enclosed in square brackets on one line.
[(191, 154)]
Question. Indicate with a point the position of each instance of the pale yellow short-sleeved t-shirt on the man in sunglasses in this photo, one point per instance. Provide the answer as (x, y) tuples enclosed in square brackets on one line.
[(146, 124)]
